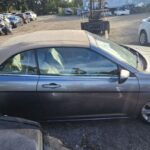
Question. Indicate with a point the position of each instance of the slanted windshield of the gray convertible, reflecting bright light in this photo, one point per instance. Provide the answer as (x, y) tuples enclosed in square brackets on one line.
[(117, 51)]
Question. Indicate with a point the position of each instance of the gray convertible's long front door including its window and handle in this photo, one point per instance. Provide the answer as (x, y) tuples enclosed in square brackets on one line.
[(78, 82)]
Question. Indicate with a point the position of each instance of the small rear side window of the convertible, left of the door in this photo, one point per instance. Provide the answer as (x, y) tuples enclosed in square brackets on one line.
[(23, 63)]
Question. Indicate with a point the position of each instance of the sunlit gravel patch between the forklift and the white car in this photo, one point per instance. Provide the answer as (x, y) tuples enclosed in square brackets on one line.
[(124, 29)]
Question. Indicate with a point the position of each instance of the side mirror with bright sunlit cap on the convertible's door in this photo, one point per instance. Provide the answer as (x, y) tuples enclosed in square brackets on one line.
[(124, 75)]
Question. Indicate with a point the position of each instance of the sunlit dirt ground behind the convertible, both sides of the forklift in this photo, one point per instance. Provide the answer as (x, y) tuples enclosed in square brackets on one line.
[(124, 29)]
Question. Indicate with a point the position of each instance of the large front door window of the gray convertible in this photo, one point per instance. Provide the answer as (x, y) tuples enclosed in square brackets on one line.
[(74, 62)]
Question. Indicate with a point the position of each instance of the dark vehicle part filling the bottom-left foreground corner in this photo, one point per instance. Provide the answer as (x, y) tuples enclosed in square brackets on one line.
[(19, 134)]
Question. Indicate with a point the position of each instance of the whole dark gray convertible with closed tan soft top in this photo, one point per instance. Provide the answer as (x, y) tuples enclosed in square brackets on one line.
[(73, 75)]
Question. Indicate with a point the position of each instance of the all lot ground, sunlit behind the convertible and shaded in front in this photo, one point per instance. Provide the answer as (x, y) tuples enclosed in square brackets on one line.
[(96, 135)]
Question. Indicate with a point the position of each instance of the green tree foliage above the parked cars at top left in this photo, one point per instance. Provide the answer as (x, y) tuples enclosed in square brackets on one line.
[(39, 6)]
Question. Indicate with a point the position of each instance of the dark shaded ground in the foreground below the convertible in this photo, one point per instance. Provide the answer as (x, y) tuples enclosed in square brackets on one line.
[(102, 135)]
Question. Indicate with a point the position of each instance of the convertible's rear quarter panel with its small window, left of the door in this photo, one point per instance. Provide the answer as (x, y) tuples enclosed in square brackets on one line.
[(18, 82)]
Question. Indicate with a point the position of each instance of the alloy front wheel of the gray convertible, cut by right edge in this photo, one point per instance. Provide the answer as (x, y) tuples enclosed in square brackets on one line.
[(146, 112)]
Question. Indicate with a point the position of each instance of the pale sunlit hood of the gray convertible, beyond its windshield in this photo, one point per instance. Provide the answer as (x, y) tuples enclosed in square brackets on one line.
[(144, 51)]
